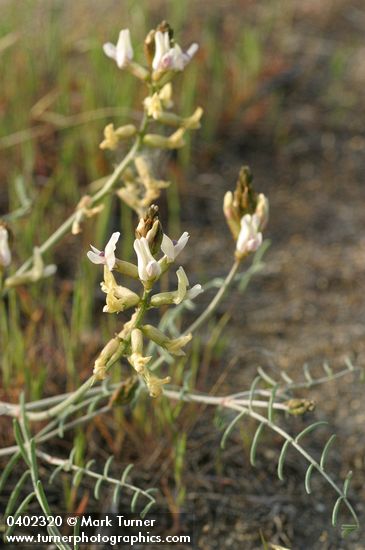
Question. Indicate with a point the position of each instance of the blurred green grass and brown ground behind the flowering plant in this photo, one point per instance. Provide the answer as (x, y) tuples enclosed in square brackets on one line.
[(281, 83)]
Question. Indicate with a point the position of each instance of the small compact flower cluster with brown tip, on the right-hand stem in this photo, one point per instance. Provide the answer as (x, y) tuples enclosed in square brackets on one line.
[(246, 213)]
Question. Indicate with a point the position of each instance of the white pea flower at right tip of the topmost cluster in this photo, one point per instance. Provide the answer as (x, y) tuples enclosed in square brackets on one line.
[(167, 58)]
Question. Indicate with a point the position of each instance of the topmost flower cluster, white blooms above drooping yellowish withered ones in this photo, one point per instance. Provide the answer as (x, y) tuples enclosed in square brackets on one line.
[(165, 58)]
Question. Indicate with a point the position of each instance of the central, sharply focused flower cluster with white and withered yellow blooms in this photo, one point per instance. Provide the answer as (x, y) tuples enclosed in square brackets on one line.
[(150, 243)]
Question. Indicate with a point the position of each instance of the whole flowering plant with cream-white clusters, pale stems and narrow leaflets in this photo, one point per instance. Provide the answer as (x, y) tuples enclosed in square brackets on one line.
[(134, 287)]
